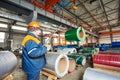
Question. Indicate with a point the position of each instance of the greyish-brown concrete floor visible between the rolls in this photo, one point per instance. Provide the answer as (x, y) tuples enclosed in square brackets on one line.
[(77, 74)]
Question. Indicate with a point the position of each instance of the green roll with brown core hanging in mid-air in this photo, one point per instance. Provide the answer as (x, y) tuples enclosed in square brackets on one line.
[(77, 34)]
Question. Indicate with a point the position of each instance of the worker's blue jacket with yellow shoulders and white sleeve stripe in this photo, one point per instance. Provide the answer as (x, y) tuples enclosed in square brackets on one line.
[(33, 54)]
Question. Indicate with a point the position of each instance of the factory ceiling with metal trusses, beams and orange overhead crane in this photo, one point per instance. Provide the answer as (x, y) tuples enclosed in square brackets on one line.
[(93, 15)]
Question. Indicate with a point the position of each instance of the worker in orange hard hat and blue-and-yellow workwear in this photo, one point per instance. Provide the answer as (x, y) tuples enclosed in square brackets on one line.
[(33, 53)]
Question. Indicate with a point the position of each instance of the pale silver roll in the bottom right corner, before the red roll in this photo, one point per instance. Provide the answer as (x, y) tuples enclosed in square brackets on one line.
[(94, 74)]
